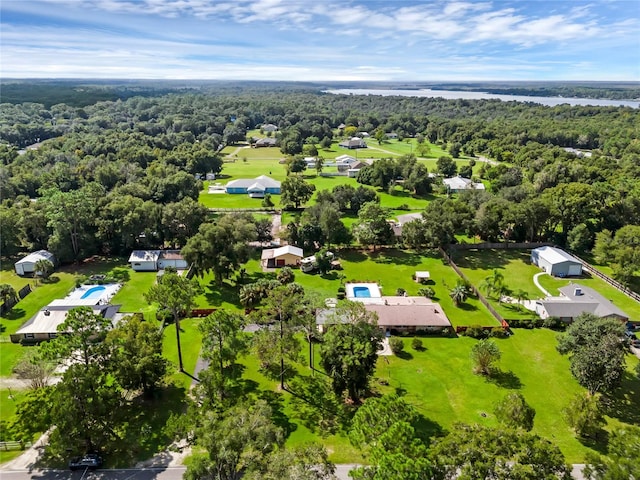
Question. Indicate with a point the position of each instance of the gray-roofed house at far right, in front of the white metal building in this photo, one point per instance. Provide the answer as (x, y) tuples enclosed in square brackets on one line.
[(575, 300)]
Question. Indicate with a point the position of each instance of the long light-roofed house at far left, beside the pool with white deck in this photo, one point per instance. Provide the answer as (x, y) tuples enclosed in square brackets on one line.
[(43, 325)]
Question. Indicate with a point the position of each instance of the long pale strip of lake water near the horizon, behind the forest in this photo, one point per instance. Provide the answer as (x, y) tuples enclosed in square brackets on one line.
[(464, 95)]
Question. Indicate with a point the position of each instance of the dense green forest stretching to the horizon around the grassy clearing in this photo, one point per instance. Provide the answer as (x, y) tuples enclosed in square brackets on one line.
[(122, 168)]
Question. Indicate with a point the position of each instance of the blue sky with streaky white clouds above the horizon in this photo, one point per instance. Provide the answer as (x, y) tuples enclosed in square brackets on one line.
[(321, 40)]
